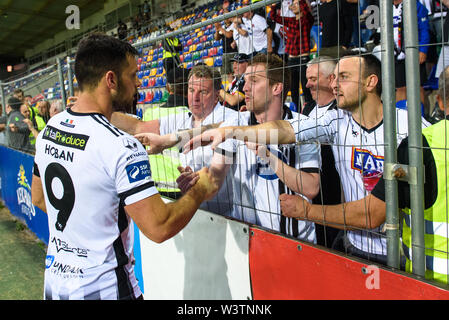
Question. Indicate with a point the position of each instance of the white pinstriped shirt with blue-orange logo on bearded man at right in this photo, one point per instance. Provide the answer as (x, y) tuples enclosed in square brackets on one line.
[(359, 159)]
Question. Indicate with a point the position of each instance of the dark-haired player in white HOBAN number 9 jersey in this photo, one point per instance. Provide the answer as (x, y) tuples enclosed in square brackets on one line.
[(92, 179)]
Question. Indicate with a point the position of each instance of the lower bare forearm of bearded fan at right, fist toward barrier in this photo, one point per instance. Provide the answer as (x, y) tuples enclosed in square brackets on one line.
[(366, 213)]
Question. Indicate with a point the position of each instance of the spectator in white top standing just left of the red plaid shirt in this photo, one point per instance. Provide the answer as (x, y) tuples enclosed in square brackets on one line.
[(260, 34)]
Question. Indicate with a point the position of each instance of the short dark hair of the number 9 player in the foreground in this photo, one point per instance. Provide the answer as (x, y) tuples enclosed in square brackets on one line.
[(97, 54)]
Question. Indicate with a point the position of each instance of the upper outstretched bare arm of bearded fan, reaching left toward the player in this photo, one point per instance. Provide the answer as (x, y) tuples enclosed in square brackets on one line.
[(271, 132)]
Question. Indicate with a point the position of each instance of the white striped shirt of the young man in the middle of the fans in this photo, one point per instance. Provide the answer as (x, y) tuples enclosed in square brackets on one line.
[(257, 187)]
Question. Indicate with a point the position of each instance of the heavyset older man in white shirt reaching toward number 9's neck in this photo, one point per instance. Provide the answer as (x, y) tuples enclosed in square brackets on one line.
[(204, 84)]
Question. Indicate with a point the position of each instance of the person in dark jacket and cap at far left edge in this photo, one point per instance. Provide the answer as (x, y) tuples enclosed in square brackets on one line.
[(18, 131)]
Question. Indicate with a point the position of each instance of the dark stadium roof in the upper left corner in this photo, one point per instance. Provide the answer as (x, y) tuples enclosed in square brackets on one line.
[(26, 23)]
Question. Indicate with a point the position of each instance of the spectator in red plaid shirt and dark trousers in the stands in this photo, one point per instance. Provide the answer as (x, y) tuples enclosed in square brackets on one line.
[(297, 45)]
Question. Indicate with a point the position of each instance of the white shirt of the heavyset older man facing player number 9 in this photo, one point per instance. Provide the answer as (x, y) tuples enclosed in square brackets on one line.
[(202, 156)]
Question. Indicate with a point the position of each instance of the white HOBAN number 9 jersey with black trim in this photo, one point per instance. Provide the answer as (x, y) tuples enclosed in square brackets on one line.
[(90, 170)]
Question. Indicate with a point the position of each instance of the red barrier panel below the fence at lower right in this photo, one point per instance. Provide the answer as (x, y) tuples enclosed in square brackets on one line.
[(283, 268)]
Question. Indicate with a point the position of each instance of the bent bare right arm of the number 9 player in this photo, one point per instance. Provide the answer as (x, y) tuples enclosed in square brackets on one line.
[(160, 221)]
